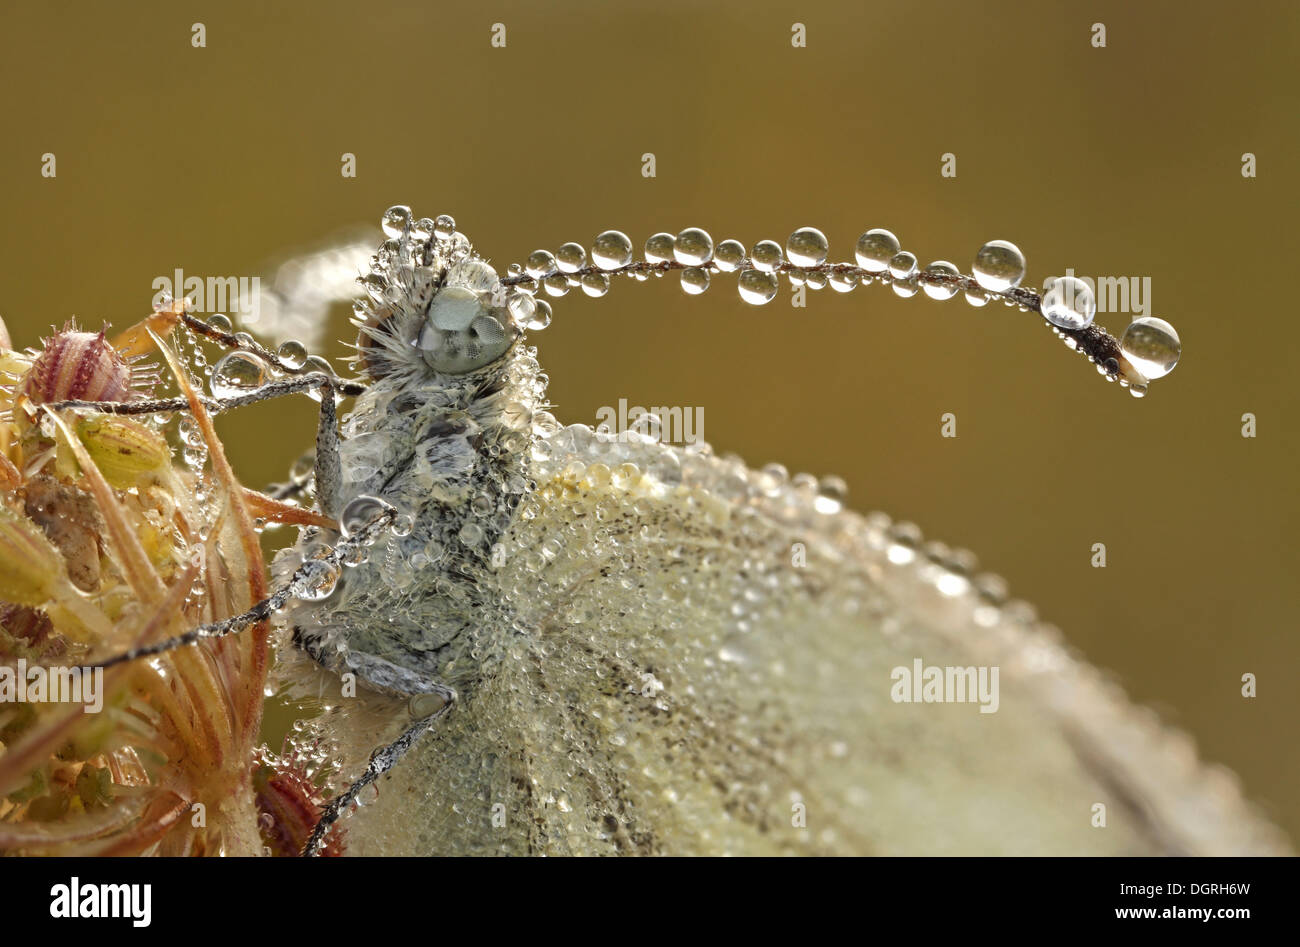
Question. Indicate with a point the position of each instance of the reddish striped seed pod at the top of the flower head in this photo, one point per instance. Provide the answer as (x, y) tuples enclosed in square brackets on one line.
[(79, 366)]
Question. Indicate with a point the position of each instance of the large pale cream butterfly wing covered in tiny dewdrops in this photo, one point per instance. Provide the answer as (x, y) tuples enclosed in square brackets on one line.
[(703, 659)]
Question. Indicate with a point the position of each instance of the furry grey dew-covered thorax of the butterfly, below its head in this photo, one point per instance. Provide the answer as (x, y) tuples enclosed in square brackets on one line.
[(453, 453)]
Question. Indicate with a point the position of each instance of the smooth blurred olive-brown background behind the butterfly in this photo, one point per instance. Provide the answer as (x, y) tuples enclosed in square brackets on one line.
[(1116, 162)]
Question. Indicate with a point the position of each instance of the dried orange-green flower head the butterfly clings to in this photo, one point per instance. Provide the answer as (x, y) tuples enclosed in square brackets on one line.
[(109, 540)]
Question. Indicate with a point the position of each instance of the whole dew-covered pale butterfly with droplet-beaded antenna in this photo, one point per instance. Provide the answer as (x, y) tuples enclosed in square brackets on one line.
[(534, 638)]
